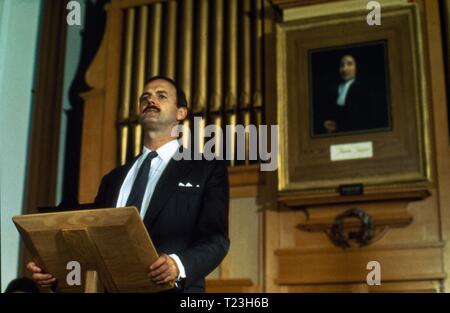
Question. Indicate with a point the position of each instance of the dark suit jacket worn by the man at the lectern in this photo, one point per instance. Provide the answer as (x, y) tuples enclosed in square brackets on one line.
[(190, 222)]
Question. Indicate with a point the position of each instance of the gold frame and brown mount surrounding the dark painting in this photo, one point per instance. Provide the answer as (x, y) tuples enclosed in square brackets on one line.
[(399, 154)]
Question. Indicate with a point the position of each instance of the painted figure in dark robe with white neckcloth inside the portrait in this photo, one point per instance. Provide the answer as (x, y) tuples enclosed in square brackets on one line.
[(352, 105)]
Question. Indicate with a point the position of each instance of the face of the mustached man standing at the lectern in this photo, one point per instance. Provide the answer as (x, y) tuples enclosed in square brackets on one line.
[(158, 106)]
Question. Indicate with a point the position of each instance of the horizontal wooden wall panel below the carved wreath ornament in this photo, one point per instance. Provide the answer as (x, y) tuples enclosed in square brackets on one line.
[(398, 263)]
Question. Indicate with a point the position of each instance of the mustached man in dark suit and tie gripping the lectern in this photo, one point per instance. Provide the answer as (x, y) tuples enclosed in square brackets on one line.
[(184, 204)]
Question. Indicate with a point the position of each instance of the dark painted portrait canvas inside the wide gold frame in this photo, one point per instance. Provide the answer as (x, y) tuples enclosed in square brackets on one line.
[(349, 89)]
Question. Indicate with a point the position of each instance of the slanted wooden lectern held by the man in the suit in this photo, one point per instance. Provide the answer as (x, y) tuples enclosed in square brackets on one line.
[(112, 246)]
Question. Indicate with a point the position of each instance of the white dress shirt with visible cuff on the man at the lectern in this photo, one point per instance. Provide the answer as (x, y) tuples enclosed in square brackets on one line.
[(157, 167)]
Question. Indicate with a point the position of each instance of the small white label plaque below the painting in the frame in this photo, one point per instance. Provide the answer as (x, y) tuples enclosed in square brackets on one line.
[(351, 151)]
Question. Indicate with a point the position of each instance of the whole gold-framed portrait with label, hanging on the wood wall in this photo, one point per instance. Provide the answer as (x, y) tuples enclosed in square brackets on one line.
[(352, 101)]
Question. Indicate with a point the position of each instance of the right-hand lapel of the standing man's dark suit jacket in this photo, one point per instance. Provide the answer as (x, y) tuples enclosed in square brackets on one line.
[(174, 172)]
